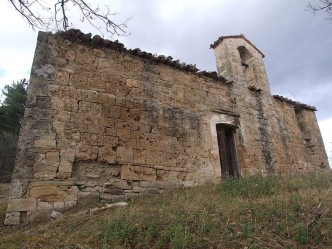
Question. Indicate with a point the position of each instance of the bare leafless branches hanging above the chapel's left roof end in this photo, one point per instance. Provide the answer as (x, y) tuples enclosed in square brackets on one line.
[(55, 15)]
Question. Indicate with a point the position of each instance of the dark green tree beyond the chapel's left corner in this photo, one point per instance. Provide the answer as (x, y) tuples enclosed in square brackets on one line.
[(11, 114)]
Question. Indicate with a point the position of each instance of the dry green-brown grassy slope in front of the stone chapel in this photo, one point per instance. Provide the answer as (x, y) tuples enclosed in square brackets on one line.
[(255, 212)]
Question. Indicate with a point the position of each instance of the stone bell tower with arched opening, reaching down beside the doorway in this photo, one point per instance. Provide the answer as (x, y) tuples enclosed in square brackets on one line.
[(239, 61)]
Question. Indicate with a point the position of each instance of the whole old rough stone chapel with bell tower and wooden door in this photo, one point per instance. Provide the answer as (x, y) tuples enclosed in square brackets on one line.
[(104, 123)]
